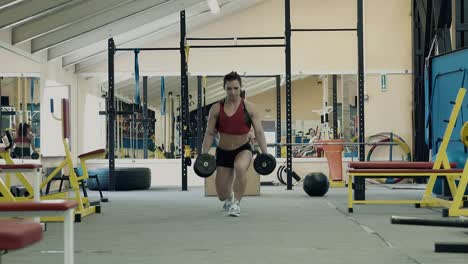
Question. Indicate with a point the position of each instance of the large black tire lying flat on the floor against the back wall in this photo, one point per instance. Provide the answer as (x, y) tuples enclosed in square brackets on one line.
[(127, 179)]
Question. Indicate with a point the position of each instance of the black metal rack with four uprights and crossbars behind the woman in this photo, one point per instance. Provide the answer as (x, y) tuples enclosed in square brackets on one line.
[(184, 88)]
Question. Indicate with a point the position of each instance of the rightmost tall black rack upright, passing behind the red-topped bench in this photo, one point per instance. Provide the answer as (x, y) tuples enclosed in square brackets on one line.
[(359, 184)]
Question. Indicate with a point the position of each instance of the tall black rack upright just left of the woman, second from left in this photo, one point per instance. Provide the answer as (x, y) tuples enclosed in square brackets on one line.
[(183, 105)]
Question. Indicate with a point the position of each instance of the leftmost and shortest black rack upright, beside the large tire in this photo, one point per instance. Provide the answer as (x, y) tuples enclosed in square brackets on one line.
[(111, 114)]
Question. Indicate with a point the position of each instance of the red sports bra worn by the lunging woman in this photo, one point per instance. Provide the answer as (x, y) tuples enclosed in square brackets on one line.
[(237, 124)]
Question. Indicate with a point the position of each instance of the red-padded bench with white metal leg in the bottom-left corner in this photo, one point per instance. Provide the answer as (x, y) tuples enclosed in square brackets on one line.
[(26, 233)]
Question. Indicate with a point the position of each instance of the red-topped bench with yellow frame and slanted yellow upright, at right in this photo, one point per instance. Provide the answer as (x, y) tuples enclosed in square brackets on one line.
[(440, 168)]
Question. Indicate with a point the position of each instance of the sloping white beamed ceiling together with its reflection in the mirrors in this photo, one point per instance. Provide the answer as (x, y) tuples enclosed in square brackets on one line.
[(76, 32)]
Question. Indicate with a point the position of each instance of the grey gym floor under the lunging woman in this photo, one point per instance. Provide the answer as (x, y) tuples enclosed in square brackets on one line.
[(165, 225)]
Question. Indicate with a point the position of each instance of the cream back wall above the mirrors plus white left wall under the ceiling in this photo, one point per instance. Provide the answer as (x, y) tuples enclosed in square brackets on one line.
[(387, 50)]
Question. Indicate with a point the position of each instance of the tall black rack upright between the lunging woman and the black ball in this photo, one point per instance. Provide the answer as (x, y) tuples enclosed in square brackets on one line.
[(287, 21)]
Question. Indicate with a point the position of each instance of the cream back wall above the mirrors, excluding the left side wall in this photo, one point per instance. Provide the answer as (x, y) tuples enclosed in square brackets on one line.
[(387, 45)]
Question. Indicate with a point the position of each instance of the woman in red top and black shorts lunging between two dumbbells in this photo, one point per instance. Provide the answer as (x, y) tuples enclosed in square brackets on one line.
[(233, 118)]
